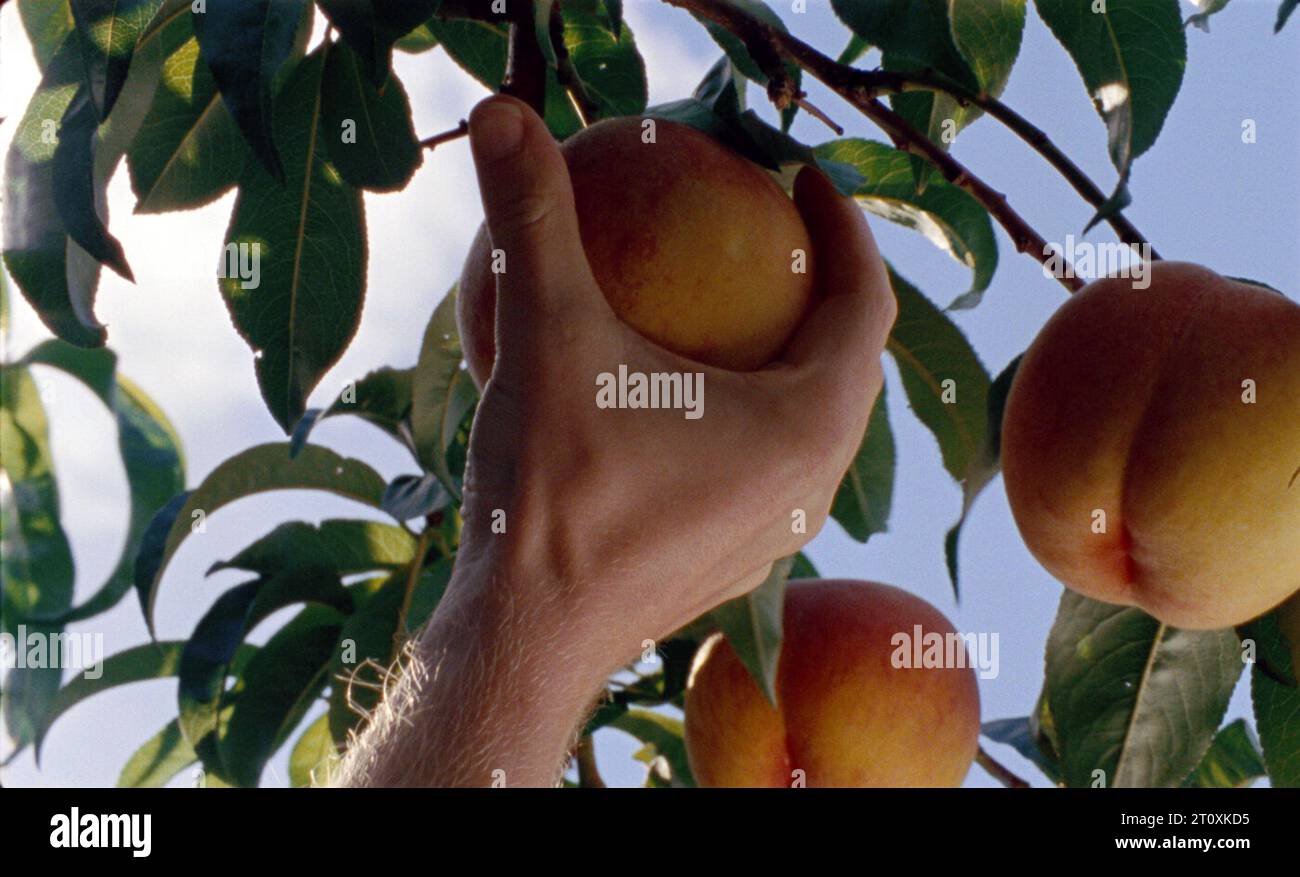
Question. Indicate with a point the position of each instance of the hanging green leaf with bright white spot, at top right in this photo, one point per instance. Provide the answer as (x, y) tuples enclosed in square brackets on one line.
[(1132, 58)]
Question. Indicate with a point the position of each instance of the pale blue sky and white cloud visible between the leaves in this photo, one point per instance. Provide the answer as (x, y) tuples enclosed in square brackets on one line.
[(1201, 196)]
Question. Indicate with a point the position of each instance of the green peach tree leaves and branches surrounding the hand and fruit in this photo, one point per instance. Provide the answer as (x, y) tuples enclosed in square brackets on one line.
[(297, 108)]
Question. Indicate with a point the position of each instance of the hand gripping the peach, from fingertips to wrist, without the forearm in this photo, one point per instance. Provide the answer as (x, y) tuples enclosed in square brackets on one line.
[(642, 518)]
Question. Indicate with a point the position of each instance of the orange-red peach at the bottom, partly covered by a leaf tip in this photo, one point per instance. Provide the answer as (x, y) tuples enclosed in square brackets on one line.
[(847, 715)]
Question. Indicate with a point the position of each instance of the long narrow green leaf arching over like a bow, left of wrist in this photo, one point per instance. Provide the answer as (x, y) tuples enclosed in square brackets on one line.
[(259, 470)]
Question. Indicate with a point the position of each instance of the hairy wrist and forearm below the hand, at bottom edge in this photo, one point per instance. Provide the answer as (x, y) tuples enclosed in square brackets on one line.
[(493, 692)]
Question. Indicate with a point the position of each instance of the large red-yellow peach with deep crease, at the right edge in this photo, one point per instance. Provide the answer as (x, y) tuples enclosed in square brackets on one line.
[(1151, 442)]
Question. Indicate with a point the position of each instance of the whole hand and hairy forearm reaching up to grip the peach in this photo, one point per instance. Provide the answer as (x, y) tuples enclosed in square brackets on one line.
[(621, 526)]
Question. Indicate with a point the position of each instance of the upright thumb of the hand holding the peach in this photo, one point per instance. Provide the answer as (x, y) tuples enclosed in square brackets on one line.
[(528, 202)]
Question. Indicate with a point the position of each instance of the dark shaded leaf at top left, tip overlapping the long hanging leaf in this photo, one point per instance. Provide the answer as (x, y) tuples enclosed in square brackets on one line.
[(245, 45)]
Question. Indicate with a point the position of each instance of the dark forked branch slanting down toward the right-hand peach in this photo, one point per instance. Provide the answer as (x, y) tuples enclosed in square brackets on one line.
[(861, 88)]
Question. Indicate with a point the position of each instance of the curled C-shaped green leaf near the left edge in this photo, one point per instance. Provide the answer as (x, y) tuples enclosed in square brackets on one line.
[(148, 444)]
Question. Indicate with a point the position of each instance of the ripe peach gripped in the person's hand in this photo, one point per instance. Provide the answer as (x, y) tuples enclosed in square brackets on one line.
[(694, 246)]
